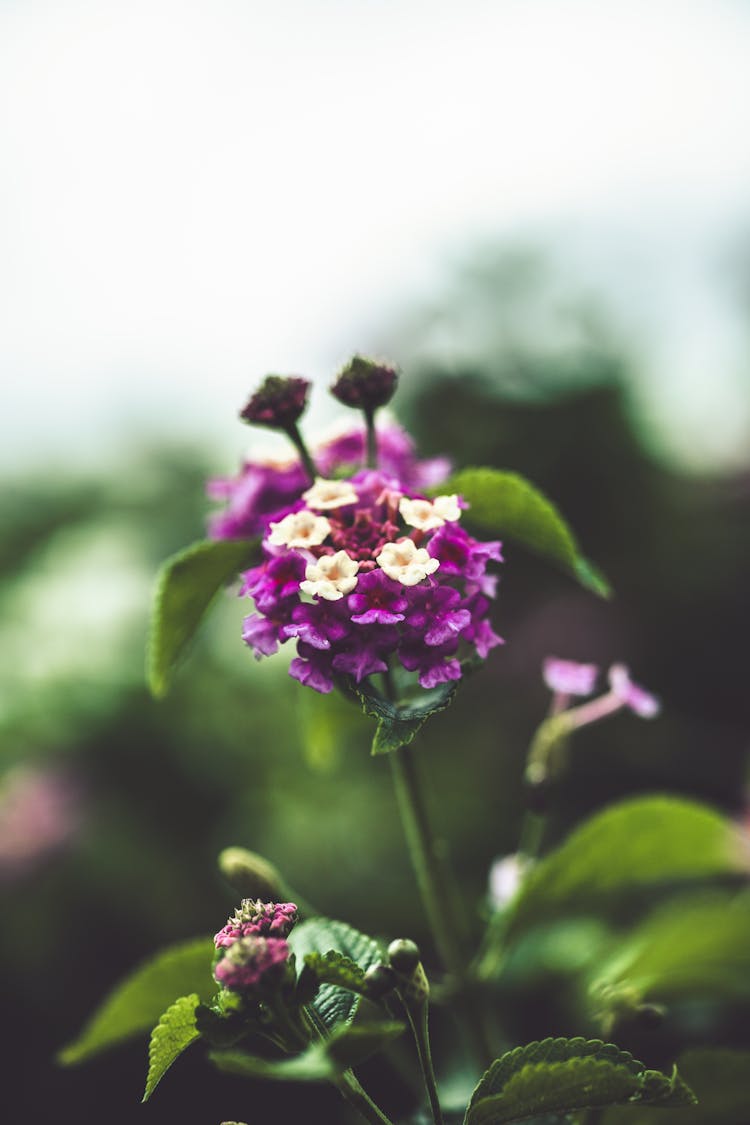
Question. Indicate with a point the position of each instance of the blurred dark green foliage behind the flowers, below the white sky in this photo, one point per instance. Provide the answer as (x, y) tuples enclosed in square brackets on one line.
[(240, 754)]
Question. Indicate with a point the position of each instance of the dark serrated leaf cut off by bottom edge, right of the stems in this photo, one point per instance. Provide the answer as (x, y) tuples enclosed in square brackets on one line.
[(563, 1076)]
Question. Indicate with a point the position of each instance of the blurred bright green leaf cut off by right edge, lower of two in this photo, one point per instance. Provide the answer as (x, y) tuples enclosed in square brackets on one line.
[(697, 947)]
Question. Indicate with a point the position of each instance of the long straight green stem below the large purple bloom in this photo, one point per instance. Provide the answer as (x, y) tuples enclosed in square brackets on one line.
[(438, 895)]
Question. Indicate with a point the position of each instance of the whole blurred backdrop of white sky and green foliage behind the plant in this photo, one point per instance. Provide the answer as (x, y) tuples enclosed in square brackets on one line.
[(540, 212)]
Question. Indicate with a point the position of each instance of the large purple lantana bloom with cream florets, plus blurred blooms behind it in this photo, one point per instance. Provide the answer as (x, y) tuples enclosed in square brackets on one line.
[(360, 568)]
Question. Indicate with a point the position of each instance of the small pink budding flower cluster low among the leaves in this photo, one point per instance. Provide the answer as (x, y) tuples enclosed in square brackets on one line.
[(252, 946)]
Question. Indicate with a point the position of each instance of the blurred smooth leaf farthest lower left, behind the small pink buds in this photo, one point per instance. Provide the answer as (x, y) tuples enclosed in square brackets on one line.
[(139, 1002)]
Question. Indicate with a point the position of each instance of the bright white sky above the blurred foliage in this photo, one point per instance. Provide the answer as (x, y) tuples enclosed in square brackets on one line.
[(194, 194)]
